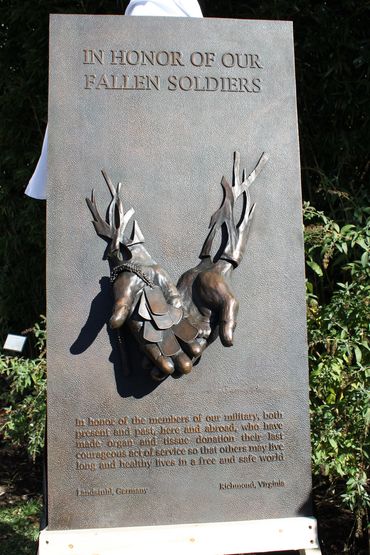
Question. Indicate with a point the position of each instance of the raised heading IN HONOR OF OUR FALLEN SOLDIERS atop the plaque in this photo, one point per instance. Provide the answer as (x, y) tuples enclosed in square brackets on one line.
[(209, 71)]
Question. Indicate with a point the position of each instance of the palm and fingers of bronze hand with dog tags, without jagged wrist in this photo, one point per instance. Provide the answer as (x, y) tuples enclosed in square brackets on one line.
[(146, 298)]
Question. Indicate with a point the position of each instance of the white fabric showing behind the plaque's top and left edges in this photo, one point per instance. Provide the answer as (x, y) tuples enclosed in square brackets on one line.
[(36, 187)]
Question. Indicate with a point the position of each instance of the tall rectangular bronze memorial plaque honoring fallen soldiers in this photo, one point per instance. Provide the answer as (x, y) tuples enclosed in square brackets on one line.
[(161, 105)]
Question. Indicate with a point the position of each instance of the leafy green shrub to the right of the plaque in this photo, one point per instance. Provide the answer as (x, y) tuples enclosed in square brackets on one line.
[(339, 353)]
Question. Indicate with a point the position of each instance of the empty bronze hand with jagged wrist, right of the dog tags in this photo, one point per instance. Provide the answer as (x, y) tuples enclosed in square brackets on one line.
[(206, 289)]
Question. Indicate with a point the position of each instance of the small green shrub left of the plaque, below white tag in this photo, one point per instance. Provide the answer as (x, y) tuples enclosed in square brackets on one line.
[(24, 397)]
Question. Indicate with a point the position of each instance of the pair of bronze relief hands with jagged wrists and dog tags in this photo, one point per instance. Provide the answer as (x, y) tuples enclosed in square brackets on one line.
[(173, 324)]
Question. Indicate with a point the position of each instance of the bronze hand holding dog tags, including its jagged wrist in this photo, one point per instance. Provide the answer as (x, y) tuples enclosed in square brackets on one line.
[(144, 295)]
